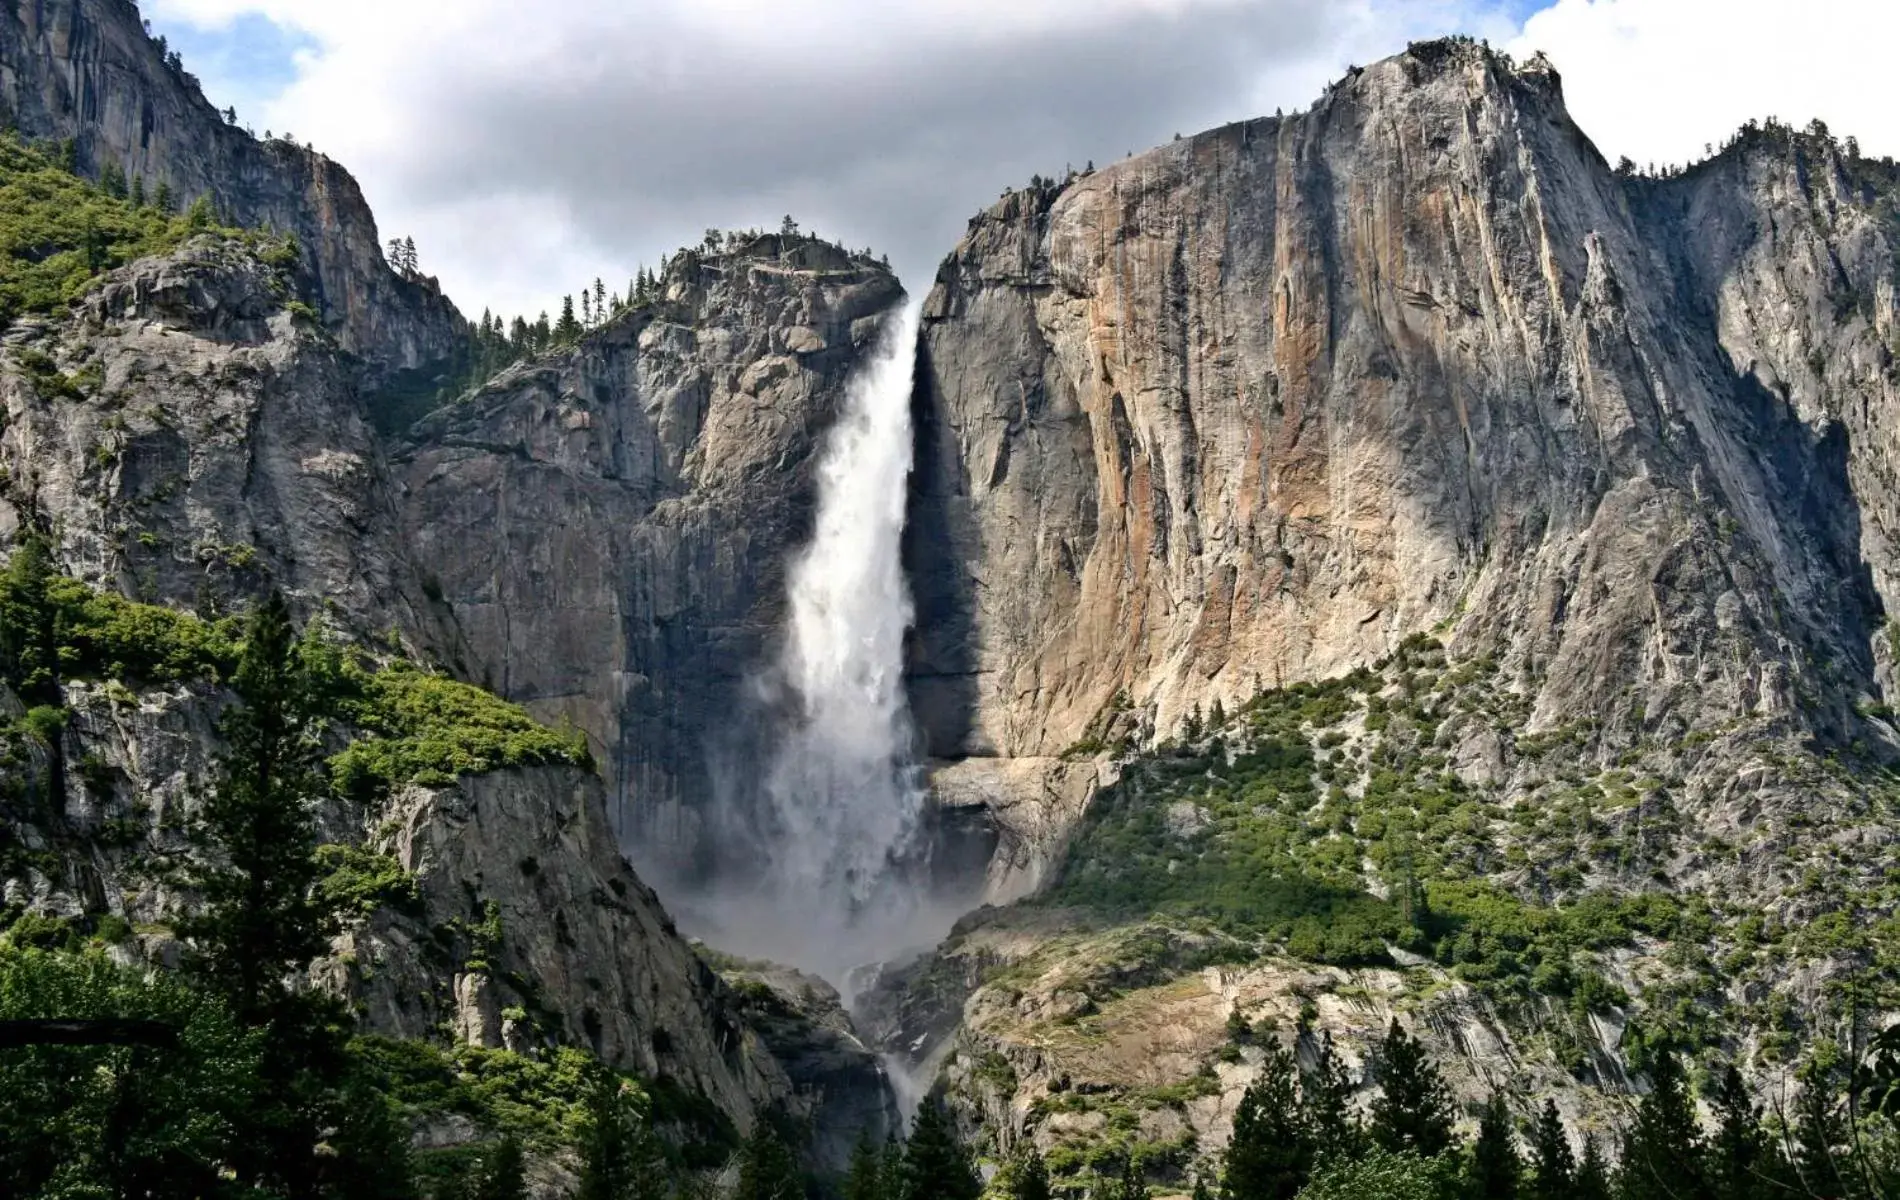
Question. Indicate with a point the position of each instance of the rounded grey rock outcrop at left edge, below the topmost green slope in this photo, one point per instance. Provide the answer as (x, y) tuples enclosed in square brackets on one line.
[(187, 436)]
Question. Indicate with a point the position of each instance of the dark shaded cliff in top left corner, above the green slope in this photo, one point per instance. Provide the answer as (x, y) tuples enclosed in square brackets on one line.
[(88, 71)]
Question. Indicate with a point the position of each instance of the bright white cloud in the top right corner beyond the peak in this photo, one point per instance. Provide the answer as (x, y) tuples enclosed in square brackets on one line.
[(1660, 81)]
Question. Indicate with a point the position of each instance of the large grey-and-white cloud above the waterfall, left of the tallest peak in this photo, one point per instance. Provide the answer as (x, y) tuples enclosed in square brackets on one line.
[(535, 147)]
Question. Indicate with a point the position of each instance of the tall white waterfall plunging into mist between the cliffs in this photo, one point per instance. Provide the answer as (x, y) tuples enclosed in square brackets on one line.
[(824, 852)]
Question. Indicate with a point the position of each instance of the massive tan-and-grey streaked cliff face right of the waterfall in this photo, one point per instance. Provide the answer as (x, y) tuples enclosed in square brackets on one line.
[(1257, 405)]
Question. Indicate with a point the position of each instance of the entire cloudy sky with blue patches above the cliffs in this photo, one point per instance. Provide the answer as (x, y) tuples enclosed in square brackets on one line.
[(529, 149)]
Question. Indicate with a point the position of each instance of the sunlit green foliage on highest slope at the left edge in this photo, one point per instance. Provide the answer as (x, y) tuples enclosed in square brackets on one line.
[(58, 233)]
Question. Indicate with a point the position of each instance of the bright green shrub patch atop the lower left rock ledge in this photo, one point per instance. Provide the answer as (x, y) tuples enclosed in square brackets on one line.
[(428, 730)]
